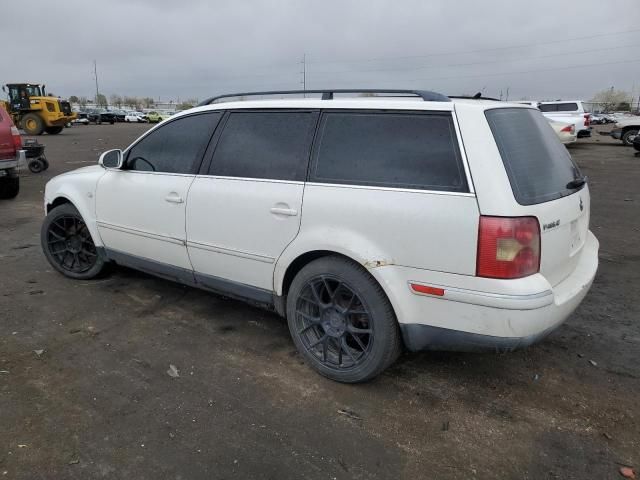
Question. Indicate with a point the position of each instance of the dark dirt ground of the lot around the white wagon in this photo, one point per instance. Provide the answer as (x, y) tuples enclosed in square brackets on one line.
[(98, 403)]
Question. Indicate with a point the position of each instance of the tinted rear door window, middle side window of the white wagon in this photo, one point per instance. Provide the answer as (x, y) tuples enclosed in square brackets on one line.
[(265, 145)]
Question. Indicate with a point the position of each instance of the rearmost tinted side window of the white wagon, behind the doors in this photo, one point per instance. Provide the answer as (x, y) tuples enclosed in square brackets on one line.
[(390, 150)]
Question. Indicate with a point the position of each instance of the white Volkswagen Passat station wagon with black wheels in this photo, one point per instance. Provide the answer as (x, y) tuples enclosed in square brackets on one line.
[(368, 223)]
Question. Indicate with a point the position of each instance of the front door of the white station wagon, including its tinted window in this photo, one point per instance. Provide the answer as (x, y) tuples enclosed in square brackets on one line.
[(140, 209)]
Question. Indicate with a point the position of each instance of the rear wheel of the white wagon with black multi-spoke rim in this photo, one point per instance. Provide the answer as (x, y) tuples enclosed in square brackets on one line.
[(341, 321)]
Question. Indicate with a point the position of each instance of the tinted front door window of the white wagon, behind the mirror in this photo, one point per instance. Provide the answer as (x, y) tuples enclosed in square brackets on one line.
[(175, 147)]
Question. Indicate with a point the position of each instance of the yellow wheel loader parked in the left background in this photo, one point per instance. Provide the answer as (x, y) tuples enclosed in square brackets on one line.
[(34, 111)]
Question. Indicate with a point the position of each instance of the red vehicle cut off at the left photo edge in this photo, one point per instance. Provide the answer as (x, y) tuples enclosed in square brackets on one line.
[(12, 156)]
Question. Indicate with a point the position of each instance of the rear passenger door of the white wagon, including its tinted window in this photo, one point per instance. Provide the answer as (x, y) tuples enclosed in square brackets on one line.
[(246, 206)]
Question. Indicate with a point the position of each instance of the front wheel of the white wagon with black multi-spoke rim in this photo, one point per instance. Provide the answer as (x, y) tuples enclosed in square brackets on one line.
[(68, 246)]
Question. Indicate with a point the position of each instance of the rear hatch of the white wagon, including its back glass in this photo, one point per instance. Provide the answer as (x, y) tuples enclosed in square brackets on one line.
[(546, 183)]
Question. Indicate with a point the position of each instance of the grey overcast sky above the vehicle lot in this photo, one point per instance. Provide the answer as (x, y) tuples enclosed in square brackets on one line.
[(196, 48)]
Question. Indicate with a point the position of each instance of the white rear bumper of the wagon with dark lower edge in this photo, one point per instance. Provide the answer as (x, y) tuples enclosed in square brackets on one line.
[(515, 314)]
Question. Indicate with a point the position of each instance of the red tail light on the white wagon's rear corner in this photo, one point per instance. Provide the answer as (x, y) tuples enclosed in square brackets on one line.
[(508, 247)]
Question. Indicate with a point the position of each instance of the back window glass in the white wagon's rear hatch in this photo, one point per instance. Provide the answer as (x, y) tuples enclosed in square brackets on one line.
[(538, 165)]
